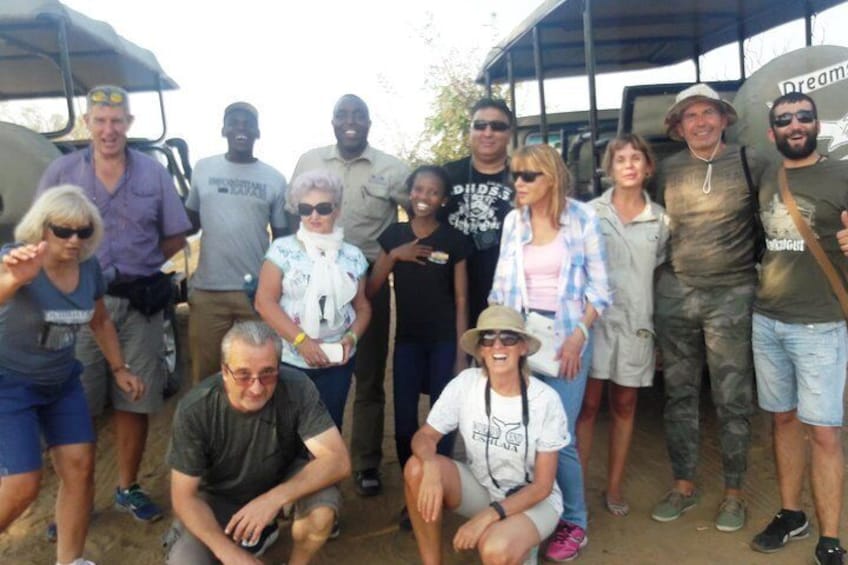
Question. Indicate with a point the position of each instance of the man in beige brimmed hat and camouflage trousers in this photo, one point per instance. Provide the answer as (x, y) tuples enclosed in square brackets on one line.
[(704, 296)]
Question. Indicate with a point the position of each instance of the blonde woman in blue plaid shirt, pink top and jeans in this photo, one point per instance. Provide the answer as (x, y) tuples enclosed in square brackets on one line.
[(552, 266)]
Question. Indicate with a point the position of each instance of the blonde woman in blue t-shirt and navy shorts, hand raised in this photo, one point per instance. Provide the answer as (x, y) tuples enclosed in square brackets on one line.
[(51, 285)]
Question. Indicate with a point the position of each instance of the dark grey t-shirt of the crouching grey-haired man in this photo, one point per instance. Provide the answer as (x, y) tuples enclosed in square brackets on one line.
[(240, 456)]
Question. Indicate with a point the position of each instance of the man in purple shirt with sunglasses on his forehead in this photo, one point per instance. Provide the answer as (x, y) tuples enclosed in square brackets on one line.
[(145, 224)]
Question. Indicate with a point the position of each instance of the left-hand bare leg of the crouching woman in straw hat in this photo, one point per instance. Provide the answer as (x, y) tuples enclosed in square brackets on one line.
[(428, 535)]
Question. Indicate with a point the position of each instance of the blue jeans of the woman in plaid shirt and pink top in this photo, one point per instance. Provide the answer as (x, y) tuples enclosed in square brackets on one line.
[(569, 471)]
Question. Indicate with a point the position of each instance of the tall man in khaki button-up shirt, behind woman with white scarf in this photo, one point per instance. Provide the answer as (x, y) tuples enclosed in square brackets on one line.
[(374, 187)]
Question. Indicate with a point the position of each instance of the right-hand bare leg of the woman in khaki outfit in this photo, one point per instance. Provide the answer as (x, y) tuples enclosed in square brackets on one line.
[(623, 413)]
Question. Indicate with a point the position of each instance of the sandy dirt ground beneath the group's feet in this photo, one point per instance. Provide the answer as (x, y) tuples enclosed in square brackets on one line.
[(369, 530)]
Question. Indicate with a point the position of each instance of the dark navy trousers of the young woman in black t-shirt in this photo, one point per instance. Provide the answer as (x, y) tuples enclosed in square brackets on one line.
[(419, 368)]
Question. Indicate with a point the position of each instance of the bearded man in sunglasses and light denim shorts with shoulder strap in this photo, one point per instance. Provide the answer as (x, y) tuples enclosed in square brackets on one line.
[(799, 336)]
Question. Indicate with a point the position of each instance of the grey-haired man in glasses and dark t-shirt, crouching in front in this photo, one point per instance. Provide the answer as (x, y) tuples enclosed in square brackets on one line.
[(238, 461)]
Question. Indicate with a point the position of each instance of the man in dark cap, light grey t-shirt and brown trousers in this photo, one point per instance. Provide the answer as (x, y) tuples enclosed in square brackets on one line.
[(234, 197)]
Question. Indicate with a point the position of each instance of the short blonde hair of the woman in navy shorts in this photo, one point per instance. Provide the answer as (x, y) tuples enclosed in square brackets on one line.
[(64, 204)]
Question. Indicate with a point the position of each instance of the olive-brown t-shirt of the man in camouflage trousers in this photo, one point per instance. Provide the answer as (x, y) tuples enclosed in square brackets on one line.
[(712, 235)]
